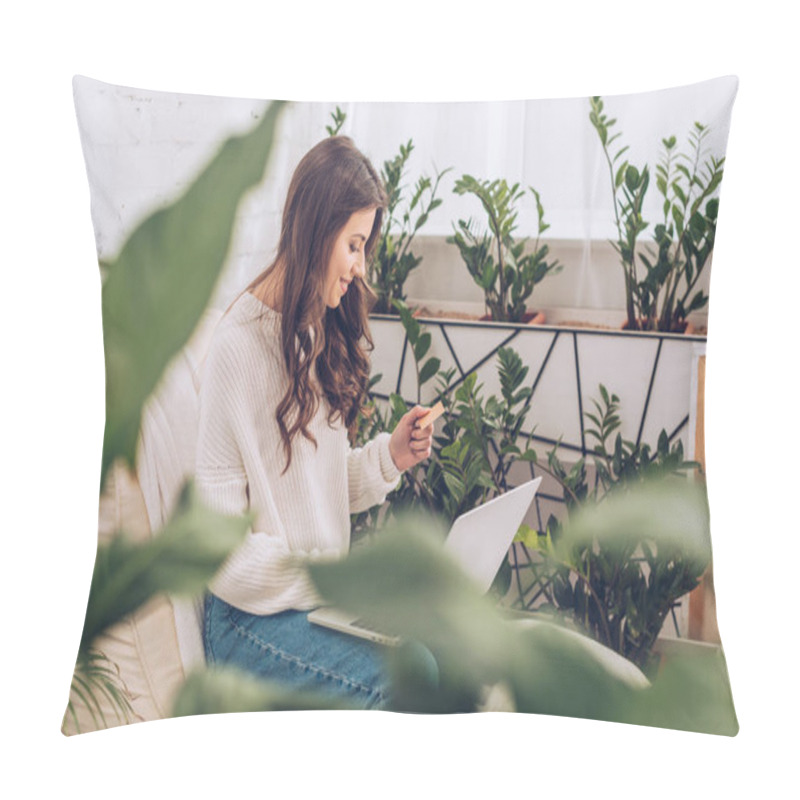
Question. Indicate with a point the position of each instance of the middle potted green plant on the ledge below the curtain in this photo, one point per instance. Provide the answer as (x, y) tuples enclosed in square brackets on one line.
[(496, 261)]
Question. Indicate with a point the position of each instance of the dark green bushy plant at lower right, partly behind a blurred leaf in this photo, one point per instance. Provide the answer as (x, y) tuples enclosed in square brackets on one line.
[(617, 589)]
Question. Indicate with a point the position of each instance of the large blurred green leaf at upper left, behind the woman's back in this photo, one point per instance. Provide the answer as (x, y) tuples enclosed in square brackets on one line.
[(163, 278)]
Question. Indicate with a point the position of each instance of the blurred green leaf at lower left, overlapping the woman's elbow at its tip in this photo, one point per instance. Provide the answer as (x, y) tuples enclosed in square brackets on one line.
[(181, 559)]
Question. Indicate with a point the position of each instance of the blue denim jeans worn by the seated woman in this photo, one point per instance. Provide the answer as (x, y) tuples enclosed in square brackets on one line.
[(286, 648)]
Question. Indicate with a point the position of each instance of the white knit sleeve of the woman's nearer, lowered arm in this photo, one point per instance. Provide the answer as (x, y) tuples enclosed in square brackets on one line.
[(258, 576)]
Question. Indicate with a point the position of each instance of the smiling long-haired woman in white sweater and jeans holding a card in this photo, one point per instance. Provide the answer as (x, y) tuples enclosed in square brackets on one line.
[(283, 384)]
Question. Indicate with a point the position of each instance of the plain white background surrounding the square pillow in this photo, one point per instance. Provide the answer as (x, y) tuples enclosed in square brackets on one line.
[(53, 385)]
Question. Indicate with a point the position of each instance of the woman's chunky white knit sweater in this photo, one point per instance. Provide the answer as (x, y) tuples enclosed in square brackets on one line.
[(240, 457)]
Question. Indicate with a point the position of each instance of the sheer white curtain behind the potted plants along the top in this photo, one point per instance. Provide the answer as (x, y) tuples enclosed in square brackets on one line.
[(548, 144)]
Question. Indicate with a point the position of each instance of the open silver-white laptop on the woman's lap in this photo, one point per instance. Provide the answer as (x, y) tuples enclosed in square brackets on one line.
[(479, 541)]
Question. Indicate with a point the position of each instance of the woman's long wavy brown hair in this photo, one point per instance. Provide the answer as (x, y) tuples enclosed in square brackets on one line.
[(327, 346)]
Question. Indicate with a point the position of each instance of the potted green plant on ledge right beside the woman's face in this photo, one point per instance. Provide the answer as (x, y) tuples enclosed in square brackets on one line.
[(394, 260)]
